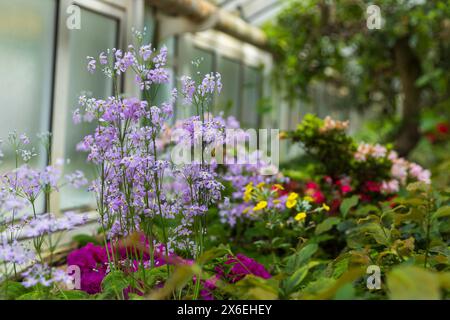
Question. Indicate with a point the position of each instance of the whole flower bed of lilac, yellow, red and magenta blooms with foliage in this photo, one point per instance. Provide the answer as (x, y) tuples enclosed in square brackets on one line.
[(201, 229)]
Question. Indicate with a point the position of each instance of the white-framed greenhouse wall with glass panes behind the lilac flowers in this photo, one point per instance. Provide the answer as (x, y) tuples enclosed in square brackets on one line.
[(36, 42)]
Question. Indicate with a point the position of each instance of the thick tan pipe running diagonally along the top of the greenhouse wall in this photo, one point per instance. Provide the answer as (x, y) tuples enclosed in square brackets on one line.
[(201, 10)]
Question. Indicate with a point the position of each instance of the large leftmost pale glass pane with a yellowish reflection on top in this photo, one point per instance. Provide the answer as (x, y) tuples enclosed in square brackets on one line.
[(26, 67)]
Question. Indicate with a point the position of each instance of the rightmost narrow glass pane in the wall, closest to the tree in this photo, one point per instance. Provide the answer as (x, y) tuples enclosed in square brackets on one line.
[(251, 96)]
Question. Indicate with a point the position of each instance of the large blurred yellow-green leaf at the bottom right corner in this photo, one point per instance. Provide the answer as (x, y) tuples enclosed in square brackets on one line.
[(413, 283)]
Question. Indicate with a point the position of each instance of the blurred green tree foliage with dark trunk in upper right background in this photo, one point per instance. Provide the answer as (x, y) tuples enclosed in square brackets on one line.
[(400, 70)]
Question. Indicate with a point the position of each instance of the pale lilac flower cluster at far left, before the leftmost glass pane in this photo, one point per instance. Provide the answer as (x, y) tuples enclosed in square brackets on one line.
[(20, 190)]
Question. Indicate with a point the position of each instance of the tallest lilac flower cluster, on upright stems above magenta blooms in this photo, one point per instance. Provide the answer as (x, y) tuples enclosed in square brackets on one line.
[(138, 185)]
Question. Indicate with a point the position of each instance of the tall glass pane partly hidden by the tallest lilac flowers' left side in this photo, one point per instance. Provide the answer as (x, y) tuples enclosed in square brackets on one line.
[(97, 33)]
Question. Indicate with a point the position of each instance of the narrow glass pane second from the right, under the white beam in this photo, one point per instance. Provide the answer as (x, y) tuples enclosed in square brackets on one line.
[(228, 99)]
